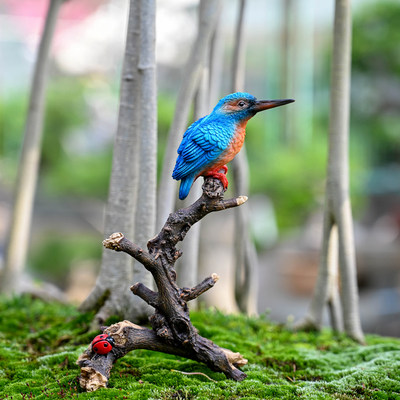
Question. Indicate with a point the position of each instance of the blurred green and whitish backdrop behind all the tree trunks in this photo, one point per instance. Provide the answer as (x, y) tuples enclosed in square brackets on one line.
[(288, 50)]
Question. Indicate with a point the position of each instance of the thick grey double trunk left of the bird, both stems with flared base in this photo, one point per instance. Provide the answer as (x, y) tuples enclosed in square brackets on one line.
[(133, 166)]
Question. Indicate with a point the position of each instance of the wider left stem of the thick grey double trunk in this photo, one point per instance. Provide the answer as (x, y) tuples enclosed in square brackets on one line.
[(111, 292)]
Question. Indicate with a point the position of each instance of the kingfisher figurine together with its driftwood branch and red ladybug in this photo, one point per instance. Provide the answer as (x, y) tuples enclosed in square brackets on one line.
[(207, 145)]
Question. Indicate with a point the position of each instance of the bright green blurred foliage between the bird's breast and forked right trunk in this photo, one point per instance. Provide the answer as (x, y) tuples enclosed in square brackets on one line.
[(292, 177)]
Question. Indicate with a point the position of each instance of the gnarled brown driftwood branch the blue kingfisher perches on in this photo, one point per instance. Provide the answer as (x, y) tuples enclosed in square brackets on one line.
[(172, 331)]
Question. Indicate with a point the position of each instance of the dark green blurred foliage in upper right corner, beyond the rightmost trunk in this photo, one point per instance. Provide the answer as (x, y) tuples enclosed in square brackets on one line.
[(376, 81)]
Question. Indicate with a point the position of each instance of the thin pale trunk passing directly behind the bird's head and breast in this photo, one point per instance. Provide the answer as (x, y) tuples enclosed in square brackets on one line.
[(246, 269)]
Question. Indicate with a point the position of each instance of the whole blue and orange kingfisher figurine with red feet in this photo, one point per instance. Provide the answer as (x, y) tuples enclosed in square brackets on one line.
[(214, 140)]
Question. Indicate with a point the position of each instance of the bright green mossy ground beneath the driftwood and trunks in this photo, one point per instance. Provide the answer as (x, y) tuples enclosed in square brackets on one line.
[(39, 345)]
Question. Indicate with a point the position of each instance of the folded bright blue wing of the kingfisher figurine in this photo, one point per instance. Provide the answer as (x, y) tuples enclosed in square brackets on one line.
[(202, 144)]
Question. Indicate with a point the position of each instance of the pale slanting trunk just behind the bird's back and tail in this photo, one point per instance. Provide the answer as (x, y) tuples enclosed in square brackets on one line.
[(209, 12)]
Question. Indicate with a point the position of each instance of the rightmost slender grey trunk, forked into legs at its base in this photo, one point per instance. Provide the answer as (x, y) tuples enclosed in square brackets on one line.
[(337, 213)]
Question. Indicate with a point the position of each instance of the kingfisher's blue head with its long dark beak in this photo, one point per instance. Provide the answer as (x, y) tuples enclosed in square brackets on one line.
[(243, 106)]
